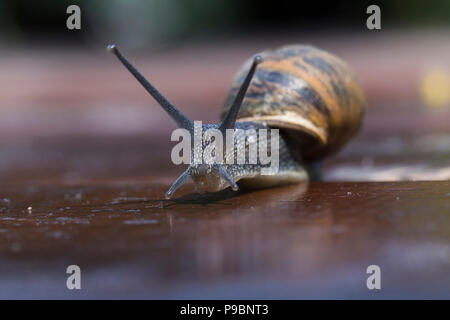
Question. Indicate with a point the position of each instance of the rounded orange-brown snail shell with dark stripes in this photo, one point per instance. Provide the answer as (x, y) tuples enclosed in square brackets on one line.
[(309, 93)]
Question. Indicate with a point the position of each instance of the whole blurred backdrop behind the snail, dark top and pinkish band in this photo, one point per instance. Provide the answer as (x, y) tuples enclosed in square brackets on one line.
[(70, 113)]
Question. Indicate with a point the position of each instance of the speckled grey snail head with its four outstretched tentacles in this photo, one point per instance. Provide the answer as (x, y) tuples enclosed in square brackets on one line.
[(206, 177)]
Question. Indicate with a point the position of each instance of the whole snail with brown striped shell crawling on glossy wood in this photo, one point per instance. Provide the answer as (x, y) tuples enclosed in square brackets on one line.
[(310, 95)]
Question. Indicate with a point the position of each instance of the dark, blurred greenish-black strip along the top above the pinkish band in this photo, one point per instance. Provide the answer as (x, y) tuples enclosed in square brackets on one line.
[(165, 22)]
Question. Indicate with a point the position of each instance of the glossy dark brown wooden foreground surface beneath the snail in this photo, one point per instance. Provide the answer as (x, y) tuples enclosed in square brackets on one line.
[(299, 241)]
